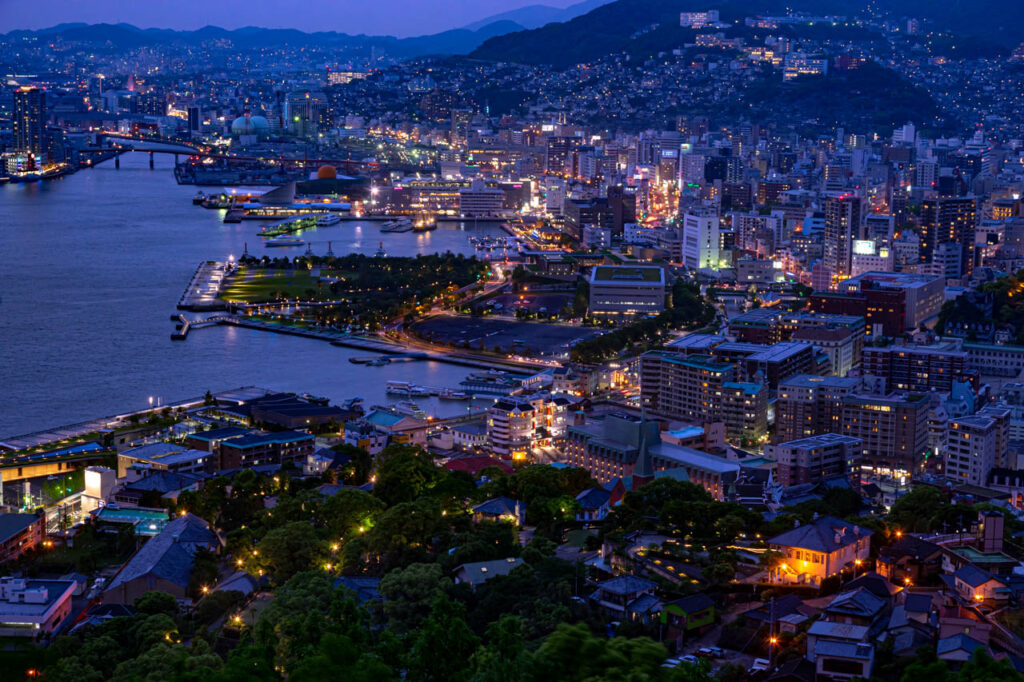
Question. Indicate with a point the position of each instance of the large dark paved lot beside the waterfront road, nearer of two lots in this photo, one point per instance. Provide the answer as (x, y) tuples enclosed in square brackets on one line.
[(506, 334)]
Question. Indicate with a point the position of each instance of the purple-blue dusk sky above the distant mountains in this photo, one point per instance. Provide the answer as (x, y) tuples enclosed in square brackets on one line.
[(401, 18)]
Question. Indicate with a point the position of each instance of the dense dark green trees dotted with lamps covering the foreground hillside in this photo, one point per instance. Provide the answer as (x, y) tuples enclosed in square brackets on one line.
[(413, 531)]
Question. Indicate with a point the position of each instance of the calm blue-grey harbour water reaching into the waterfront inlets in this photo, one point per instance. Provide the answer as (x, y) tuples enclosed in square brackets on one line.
[(92, 268)]
